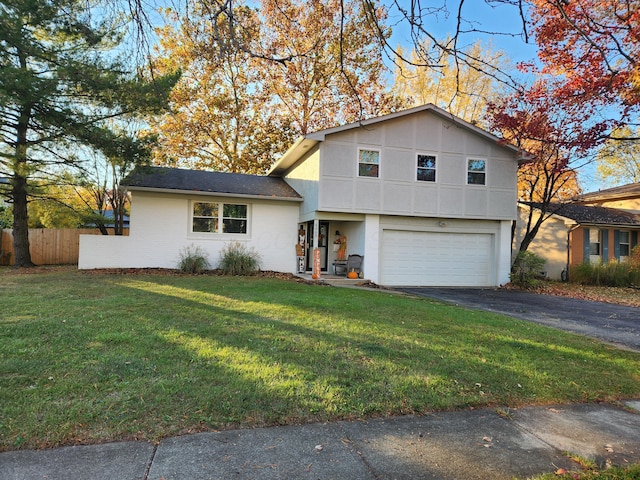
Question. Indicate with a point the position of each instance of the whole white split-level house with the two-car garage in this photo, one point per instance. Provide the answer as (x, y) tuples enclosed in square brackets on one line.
[(425, 197)]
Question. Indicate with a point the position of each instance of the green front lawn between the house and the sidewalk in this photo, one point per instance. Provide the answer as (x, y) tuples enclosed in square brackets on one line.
[(93, 357)]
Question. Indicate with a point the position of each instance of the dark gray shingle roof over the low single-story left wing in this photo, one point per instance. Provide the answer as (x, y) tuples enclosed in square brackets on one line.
[(201, 181)]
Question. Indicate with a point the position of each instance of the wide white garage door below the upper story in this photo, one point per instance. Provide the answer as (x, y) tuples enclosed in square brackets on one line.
[(436, 259)]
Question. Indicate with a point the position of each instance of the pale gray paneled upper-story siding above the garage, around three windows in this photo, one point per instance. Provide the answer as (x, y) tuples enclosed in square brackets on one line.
[(397, 191)]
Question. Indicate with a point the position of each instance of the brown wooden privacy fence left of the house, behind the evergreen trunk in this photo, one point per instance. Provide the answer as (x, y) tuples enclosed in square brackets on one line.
[(48, 246)]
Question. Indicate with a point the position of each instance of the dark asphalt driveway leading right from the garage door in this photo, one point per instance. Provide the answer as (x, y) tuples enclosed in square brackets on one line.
[(607, 322)]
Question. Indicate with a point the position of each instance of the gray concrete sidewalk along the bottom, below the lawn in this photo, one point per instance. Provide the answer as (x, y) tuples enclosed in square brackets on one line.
[(471, 444)]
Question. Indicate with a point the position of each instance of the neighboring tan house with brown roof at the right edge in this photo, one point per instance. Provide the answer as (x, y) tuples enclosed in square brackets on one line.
[(597, 227)]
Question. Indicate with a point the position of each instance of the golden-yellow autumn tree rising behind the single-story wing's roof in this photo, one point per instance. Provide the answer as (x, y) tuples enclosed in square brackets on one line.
[(221, 118)]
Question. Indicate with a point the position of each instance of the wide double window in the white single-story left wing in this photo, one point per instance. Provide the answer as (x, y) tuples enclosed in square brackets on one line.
[(217, 217)]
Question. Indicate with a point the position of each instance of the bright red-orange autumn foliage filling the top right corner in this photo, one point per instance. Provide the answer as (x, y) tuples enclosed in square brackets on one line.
[(592, 48)]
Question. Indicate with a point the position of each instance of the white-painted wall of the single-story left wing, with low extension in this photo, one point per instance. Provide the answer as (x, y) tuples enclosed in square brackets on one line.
[(160, 229)]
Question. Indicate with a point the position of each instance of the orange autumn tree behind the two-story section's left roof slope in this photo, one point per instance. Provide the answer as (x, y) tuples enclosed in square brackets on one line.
[(335, 69)]
